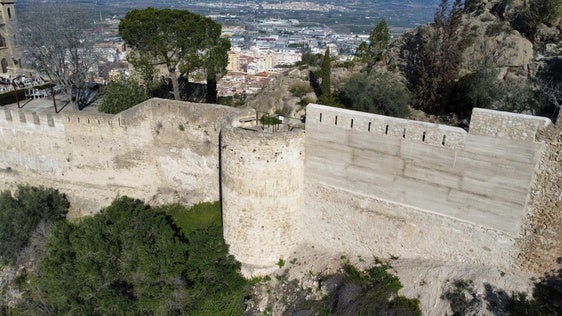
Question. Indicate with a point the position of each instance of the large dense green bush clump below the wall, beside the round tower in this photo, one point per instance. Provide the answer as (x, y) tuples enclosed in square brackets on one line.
[(132, 259)]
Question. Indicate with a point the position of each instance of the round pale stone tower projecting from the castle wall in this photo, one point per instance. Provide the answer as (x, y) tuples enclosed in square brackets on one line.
[(262, 175)]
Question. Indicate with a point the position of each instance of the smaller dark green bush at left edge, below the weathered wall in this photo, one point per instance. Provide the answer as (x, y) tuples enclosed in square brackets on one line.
[(22, 212)]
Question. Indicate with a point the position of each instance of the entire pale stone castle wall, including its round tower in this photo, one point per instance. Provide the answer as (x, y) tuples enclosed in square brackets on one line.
[(352, 182)]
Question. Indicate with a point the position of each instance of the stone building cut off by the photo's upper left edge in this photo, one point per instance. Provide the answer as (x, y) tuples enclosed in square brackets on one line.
[(9, 59)]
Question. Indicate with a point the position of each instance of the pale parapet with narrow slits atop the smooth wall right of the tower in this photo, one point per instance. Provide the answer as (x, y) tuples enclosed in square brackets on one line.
[(380, 125)]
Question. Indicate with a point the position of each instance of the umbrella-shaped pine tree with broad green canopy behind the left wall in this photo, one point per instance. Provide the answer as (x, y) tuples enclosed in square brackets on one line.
[(180, 40)]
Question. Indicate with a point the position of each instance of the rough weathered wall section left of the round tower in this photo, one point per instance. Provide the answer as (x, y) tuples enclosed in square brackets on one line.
[(160, 151)]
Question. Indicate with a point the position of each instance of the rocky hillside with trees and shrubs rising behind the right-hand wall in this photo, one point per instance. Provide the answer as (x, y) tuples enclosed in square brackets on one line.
[(498, 54)]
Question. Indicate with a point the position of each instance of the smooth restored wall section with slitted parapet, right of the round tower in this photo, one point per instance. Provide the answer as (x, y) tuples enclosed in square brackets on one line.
[(418, 184)]
